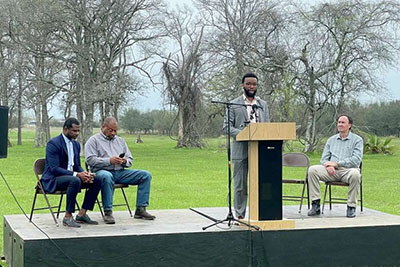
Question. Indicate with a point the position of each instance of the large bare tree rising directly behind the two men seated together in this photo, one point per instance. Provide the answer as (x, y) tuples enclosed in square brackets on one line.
[(96, 35)]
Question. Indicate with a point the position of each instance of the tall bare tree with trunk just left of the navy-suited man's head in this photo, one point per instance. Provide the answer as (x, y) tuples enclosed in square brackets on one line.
[(32, 34)]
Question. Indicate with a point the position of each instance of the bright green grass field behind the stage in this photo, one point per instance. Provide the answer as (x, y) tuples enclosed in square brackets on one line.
[(184, 178)]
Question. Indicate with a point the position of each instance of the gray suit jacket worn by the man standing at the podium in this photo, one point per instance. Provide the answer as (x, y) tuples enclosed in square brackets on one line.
[(238, 117)]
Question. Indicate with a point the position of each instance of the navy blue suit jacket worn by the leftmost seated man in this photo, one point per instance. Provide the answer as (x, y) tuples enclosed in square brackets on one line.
[(57, 162)]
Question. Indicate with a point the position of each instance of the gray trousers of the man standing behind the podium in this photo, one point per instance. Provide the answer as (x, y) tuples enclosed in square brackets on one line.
[(240, 171)]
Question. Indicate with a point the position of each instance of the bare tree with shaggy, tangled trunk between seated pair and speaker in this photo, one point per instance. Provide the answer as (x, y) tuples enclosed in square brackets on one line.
[(183, 70)]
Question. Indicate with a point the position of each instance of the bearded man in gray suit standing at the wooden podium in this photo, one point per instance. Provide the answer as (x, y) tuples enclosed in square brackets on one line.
[(251, 109)]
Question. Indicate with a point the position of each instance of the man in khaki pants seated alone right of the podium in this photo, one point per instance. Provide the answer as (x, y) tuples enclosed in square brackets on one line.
[(340, 161)]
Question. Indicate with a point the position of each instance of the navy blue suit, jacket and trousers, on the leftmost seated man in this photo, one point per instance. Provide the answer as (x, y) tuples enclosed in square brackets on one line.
[(56, 176)]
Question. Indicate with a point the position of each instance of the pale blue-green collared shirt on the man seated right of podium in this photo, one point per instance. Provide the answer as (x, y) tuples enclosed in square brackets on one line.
[(346, 152)]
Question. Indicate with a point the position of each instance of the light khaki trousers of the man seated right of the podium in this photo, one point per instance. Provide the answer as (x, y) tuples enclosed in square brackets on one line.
[(351, 176)]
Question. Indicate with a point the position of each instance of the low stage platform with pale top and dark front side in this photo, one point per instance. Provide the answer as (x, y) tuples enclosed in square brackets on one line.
[(176, 238)]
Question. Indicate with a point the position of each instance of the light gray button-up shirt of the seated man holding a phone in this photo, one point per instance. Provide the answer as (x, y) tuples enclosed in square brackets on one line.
[(100, 148)]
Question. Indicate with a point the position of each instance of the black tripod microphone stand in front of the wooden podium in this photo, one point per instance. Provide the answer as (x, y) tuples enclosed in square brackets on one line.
[(229, 218)]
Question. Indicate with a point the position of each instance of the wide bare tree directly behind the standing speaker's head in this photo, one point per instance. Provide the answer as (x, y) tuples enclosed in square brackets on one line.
[(245, 36)]
